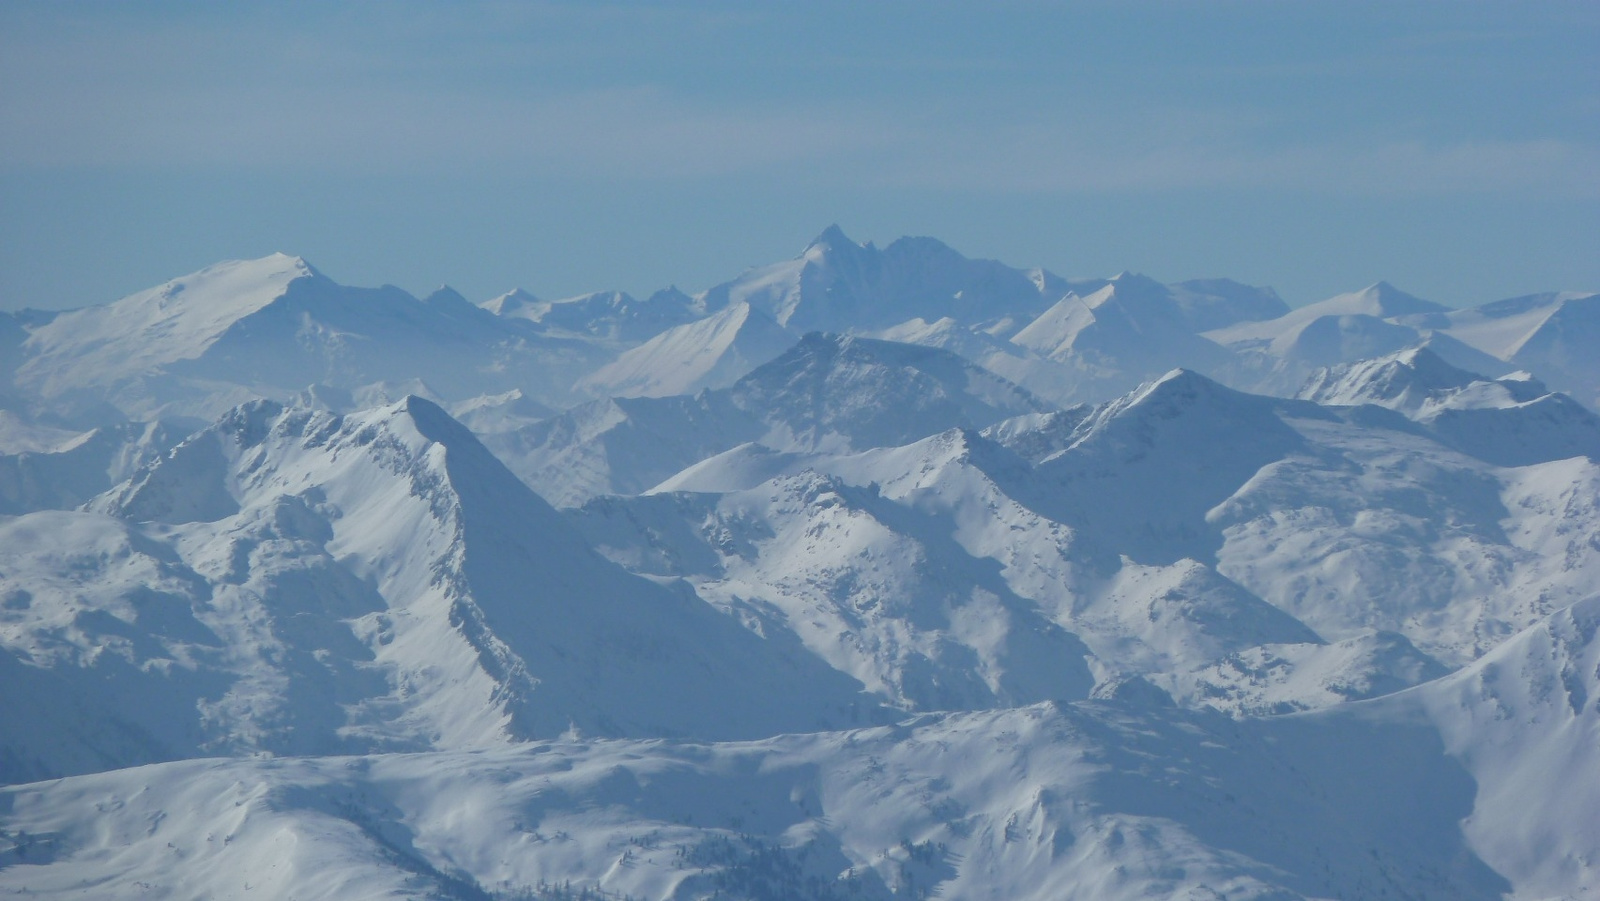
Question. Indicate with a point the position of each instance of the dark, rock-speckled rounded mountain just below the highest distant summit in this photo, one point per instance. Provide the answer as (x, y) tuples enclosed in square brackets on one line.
[(826, 393)]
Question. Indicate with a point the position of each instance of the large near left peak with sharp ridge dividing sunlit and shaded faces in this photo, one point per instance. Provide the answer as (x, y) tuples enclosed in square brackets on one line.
[(295, 582)]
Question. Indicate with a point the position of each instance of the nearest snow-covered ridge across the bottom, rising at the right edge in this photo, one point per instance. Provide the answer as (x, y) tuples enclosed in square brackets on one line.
[(1458, 790)]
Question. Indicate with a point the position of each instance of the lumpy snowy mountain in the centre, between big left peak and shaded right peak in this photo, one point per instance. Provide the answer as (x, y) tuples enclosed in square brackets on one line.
[(898, 553)]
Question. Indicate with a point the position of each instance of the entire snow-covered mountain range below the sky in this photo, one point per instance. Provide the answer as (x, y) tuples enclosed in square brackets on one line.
[(874, 574)]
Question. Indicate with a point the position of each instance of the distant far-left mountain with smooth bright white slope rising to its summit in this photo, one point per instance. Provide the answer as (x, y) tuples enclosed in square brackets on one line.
[(271, 327)]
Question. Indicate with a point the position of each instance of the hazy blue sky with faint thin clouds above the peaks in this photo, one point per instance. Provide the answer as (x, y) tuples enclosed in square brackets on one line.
[(1450, 146)]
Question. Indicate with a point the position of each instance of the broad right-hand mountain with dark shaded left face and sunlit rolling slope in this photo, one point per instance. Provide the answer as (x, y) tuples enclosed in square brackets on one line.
[(1351, 521)]
